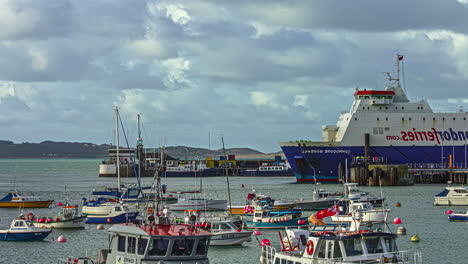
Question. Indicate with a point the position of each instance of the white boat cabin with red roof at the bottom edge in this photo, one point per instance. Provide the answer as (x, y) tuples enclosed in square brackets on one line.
[(153, 243)]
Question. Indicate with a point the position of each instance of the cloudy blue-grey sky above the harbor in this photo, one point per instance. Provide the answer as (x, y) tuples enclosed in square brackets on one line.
[(253, 72)]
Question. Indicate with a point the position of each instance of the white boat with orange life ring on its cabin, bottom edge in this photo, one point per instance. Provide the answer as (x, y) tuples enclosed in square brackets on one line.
[(339, 247)]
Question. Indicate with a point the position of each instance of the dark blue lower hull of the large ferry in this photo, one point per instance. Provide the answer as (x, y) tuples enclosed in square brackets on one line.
[(322, 163)]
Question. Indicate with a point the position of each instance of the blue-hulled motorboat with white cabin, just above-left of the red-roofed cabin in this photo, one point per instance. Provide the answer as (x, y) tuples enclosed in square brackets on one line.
[(118, 214)]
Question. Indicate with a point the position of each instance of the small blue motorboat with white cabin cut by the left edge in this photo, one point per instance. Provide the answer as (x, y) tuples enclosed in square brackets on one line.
[(22, 230)]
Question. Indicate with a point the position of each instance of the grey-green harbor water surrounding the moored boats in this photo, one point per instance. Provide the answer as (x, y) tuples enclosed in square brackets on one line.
[(441, 241)]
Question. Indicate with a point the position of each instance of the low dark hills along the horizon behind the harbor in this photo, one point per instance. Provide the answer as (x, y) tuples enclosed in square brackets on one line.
[(50, 149)]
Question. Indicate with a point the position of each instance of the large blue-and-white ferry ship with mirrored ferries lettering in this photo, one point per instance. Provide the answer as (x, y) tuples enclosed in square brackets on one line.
[(384, 125)]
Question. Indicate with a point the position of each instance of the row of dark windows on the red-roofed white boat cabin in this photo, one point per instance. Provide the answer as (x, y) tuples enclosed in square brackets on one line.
[(160, 246)]
